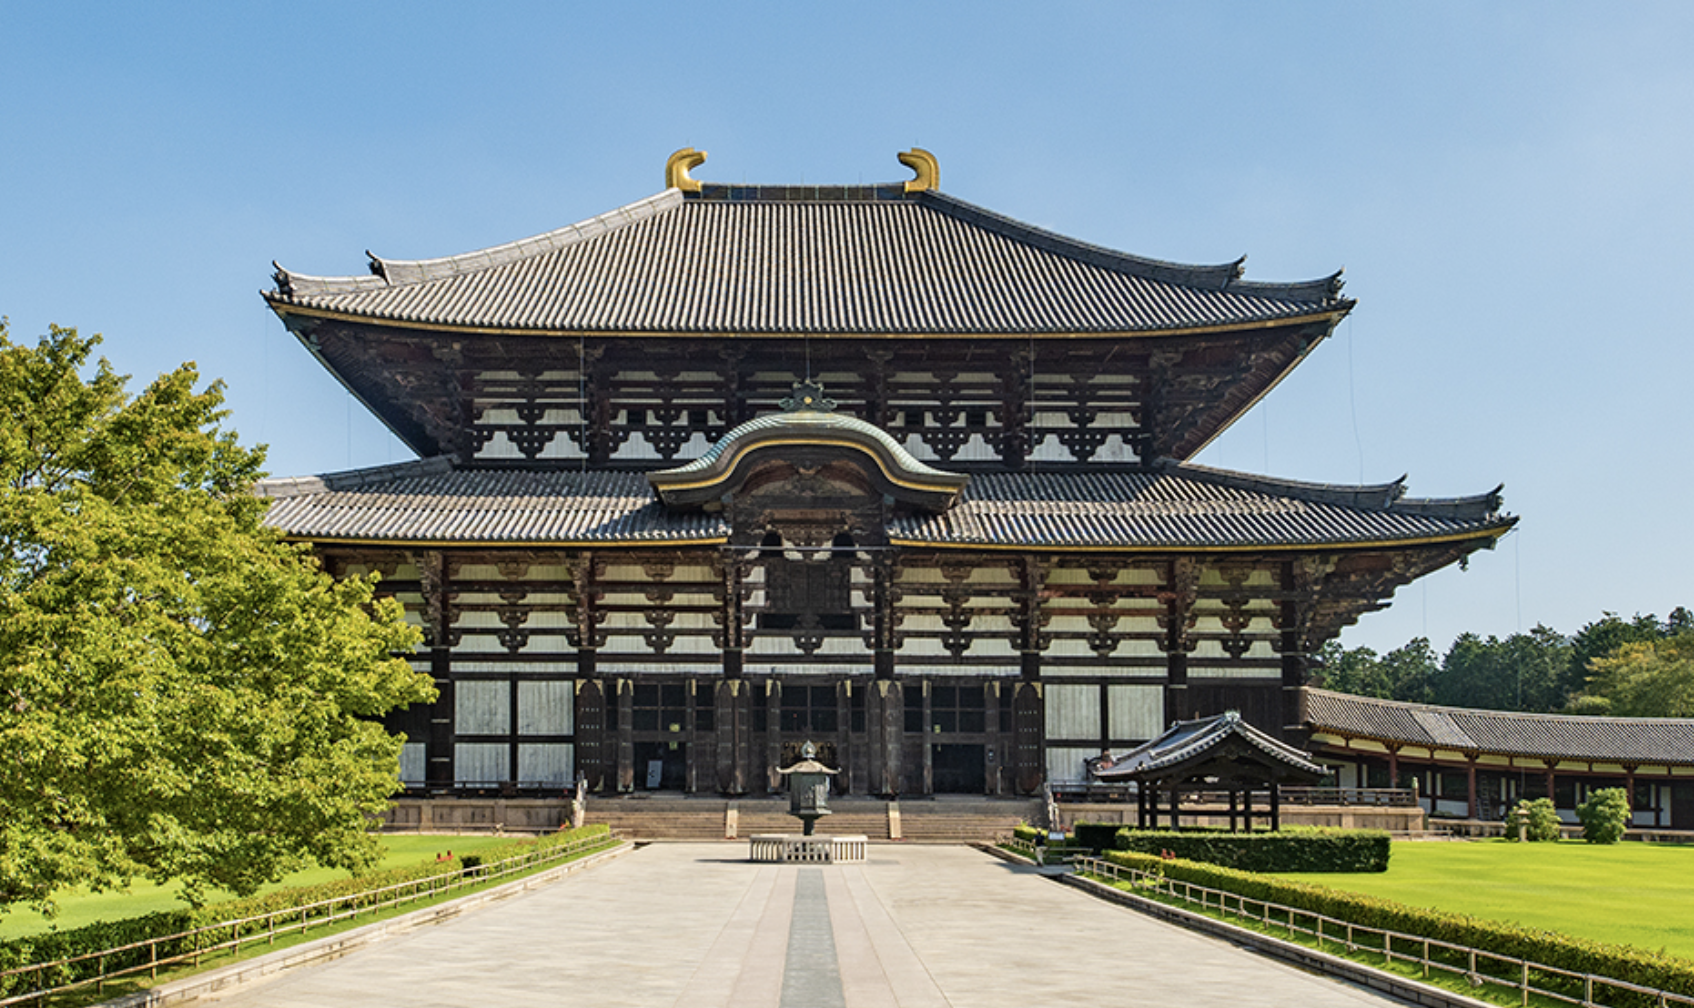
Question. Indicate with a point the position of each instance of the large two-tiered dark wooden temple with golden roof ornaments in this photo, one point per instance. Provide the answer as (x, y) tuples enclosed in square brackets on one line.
[(736, 467)]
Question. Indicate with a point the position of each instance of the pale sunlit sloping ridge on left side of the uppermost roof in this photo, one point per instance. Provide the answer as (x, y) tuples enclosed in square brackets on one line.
[(389, 274)]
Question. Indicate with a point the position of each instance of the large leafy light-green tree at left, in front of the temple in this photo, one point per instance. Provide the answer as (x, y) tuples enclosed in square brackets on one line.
[(182, 694)]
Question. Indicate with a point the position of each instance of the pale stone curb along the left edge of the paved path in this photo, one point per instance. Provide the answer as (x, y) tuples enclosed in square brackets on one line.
[(336, 946)]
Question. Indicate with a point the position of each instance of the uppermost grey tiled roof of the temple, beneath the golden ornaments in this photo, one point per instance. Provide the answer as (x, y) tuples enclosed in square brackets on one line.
[(826, 260)]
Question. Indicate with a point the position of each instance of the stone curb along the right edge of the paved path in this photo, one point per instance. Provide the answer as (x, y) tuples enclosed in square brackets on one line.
[(1388, 983)]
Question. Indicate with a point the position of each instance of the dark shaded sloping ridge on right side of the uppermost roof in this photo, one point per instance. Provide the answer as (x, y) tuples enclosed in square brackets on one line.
[(1222, 277)]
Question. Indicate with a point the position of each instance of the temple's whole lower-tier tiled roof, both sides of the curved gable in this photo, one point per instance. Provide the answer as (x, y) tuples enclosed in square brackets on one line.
[(1180, 507)]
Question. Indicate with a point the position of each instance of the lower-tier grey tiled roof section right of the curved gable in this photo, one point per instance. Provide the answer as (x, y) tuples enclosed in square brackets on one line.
[(1190, 507)]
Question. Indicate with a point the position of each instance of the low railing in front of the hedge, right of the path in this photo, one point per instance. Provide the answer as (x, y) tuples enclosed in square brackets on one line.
[(1476, 966)]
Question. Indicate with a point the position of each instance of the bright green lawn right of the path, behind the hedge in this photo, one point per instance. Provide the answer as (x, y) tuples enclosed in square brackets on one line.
[(1627, 894)]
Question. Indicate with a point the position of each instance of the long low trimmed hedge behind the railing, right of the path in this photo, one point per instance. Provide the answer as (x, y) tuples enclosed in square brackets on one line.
[(1637, 966)]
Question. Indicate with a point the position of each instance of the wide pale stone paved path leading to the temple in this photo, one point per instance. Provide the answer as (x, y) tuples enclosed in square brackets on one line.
[(692, 926)]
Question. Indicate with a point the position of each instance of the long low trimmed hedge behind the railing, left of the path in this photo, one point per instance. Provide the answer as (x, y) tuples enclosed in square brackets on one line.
[(96, 938)]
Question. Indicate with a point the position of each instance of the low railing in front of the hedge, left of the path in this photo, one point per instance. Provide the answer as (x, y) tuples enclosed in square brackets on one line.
[(192, 946)]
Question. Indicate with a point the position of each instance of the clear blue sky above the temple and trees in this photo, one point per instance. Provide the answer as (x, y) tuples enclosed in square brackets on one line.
[(1509, 186)]
